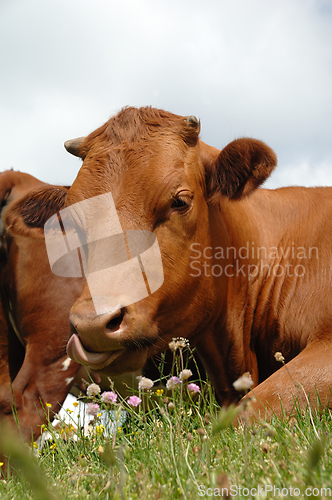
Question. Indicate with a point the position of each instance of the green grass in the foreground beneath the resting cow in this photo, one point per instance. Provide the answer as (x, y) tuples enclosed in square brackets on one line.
[(180, 446)]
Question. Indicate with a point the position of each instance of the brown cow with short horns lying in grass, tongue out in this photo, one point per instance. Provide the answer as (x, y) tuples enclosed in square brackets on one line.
[(246, 270)]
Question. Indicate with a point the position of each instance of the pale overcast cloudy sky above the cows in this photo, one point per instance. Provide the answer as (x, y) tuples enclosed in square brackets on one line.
[(245, 67)]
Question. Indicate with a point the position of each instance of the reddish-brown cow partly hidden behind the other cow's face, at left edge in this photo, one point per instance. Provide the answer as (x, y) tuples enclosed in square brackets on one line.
[(34, 366)]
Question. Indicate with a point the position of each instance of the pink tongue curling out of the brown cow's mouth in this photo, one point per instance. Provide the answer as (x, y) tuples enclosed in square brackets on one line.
[(95, 360)]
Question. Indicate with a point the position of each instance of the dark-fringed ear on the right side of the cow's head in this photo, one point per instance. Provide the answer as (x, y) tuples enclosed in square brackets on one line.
[(238, 169)]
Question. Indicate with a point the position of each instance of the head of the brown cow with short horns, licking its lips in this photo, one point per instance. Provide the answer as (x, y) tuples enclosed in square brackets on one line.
[(163, 179)]
